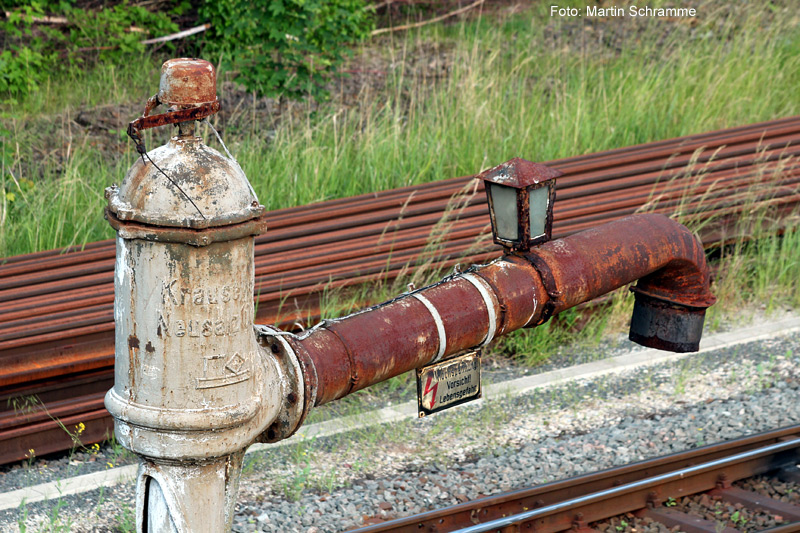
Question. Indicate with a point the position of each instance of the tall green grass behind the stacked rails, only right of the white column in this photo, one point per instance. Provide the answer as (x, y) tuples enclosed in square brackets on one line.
[(509, 93)]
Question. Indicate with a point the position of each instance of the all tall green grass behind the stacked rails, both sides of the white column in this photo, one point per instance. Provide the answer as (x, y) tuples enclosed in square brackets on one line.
[(525, 85)]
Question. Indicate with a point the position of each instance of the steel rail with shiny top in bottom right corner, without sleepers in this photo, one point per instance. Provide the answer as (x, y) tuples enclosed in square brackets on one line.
[(600, 495)]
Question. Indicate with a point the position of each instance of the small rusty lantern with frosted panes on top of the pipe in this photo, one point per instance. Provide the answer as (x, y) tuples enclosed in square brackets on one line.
[(520, 195)]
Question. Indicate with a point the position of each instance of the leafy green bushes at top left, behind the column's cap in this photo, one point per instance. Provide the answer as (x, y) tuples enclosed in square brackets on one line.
[(280, 47)]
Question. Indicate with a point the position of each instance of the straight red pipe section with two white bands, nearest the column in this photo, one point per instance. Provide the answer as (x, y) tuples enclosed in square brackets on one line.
[(462, 311)]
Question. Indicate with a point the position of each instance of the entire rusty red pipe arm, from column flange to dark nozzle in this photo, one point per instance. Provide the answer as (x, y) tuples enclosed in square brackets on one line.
[(470, 309)]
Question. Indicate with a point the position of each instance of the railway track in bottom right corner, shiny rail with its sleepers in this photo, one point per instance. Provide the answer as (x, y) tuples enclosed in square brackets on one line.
[(654, 490)]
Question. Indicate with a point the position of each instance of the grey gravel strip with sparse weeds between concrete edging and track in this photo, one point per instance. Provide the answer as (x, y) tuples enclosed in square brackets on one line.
[(393, 470)]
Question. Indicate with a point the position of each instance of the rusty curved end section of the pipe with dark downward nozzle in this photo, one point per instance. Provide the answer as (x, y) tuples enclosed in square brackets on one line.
[(672, 293)]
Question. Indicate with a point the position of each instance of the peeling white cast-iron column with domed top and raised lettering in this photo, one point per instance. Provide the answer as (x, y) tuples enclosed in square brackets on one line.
[(193, 389)]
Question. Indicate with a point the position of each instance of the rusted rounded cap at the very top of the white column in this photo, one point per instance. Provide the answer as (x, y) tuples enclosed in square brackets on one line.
[(187, 82)]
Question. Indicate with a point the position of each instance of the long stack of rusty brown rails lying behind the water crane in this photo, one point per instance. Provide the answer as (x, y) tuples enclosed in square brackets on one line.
[(56, 307)]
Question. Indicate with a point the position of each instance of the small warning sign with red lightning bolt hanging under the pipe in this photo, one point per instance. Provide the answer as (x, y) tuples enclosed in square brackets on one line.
[(448, 383)]
